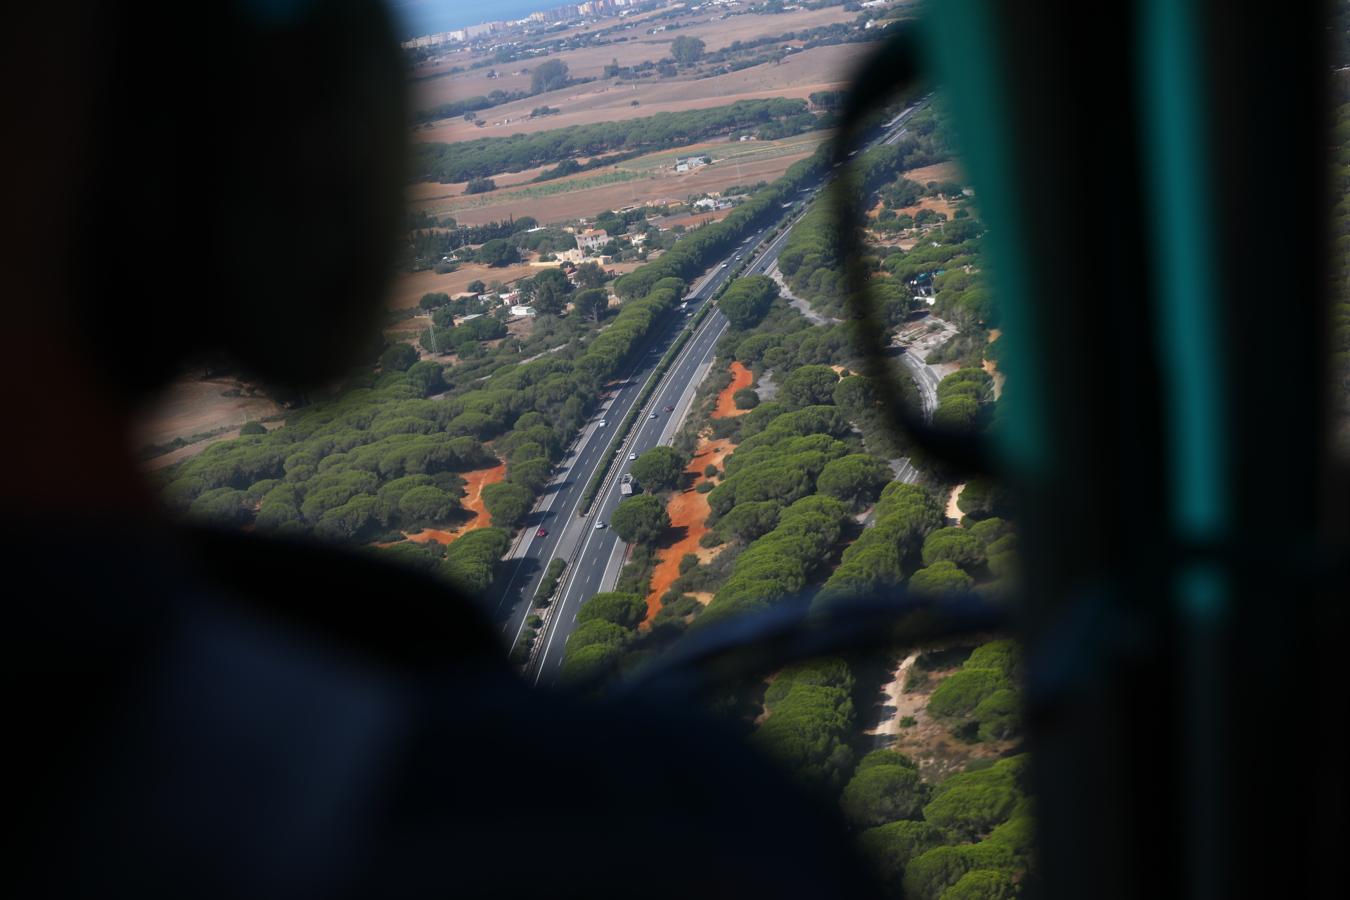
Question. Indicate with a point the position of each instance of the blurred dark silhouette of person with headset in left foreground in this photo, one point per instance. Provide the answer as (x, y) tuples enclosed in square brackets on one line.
[(206, 714)]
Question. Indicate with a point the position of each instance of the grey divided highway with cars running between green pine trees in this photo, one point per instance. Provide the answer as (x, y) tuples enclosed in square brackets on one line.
[(595, 553)]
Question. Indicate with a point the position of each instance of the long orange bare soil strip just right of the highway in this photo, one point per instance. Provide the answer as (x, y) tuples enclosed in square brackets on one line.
[(689, 509)]
